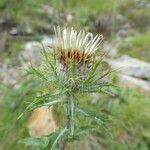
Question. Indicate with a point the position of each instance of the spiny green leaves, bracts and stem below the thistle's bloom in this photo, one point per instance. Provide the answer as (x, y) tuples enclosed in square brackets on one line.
[(65, 87)]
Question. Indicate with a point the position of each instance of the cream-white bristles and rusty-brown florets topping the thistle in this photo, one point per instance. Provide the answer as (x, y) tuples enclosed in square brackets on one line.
[(77, 46)]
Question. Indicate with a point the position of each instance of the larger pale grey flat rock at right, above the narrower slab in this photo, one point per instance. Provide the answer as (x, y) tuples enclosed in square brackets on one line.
[(132, 67)]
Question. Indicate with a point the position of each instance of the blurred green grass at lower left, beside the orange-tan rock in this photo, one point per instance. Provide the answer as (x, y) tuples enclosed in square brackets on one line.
[(12, 104)]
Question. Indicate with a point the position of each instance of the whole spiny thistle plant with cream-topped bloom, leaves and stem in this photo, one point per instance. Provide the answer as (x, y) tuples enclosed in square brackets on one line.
[(71, 67)]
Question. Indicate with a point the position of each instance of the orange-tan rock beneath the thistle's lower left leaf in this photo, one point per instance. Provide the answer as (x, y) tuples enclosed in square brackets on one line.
[(41, 122)]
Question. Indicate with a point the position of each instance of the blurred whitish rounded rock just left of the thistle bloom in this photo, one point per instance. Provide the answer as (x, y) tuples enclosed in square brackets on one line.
[(32, 54)]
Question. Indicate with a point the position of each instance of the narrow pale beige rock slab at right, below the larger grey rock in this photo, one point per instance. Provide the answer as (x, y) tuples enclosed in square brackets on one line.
[(132, 82)]
